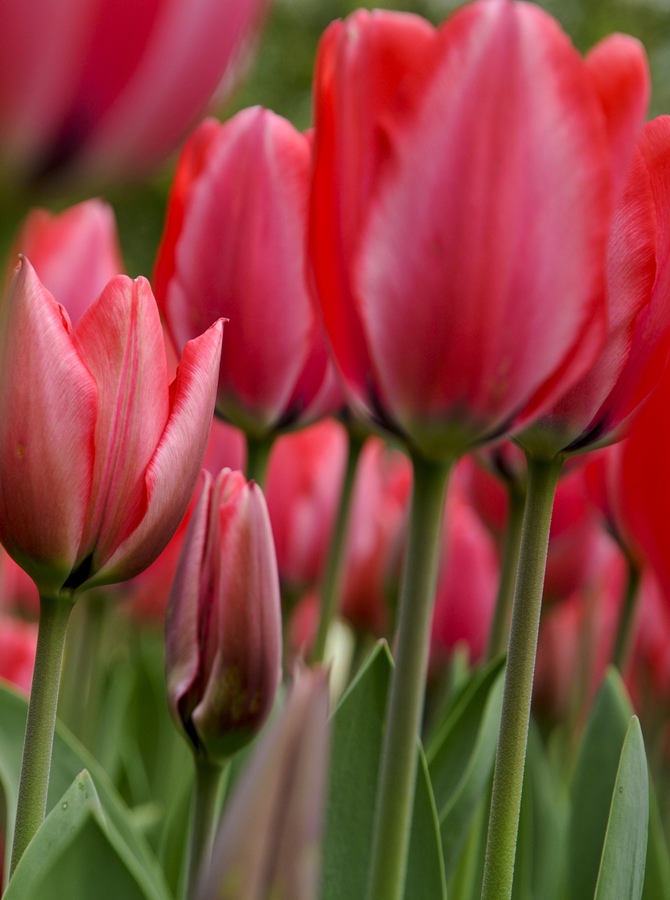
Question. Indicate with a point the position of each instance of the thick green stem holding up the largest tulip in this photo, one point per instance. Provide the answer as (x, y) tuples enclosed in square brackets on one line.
[(395, 789)]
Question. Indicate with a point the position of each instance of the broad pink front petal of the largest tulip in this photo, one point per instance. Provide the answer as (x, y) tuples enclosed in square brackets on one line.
[(507, 281)]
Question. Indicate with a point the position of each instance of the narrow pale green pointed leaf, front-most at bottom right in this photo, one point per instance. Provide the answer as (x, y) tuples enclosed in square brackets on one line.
[(625, 851)]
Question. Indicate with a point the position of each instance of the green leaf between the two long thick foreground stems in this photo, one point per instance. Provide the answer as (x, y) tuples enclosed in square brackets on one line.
[(461, 758)]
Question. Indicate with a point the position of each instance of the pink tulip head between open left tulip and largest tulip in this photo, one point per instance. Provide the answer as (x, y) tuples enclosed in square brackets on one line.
[(235, 246)]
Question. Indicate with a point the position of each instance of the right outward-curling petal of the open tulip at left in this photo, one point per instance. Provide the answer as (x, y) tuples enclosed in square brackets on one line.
[(173, 470)]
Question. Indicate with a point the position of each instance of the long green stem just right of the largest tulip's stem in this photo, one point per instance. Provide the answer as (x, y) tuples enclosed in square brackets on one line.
[(513, 737)]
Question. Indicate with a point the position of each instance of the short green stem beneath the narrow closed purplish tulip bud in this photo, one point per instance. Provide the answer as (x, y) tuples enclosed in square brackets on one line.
[(204, 819)]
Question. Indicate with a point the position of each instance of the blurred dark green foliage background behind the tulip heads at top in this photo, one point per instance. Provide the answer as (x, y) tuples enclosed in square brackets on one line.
[(279, 76)]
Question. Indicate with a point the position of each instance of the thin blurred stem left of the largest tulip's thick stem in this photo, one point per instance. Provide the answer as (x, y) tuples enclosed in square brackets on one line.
[(332, 580)]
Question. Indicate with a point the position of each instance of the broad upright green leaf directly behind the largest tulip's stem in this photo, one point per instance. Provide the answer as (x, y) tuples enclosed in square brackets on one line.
[(357, 731)]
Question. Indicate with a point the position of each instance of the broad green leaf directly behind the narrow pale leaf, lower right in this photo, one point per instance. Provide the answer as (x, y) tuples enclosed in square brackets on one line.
[(593, 782)]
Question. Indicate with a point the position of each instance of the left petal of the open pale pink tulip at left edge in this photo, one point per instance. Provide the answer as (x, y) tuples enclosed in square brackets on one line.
[(48, 406)]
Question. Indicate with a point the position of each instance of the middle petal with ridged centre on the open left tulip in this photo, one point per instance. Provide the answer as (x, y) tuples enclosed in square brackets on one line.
[(121, 341)]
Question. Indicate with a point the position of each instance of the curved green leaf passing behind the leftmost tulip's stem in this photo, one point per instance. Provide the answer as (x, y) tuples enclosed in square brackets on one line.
[(68, 759)]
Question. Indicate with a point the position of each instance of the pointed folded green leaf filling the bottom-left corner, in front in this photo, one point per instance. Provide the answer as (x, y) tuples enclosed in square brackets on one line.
[(78, 854)]
